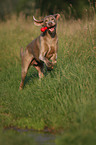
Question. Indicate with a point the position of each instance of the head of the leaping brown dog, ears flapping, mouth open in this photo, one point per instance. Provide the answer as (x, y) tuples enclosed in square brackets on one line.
[(49, 21)]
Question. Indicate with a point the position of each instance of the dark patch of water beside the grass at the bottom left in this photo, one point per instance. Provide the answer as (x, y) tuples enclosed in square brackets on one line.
[(39, 138)]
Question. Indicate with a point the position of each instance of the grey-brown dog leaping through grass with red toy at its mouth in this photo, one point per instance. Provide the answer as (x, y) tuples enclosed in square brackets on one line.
[(42, 49)]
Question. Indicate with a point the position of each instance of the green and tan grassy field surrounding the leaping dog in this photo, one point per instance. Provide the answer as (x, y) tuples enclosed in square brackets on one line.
[(65, 99)]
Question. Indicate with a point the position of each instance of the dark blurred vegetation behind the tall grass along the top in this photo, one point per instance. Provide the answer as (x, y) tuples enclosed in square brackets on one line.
[(70, 8)]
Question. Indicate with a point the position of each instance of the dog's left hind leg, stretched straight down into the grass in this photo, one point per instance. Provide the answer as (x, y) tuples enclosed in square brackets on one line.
[(26, 59)]
